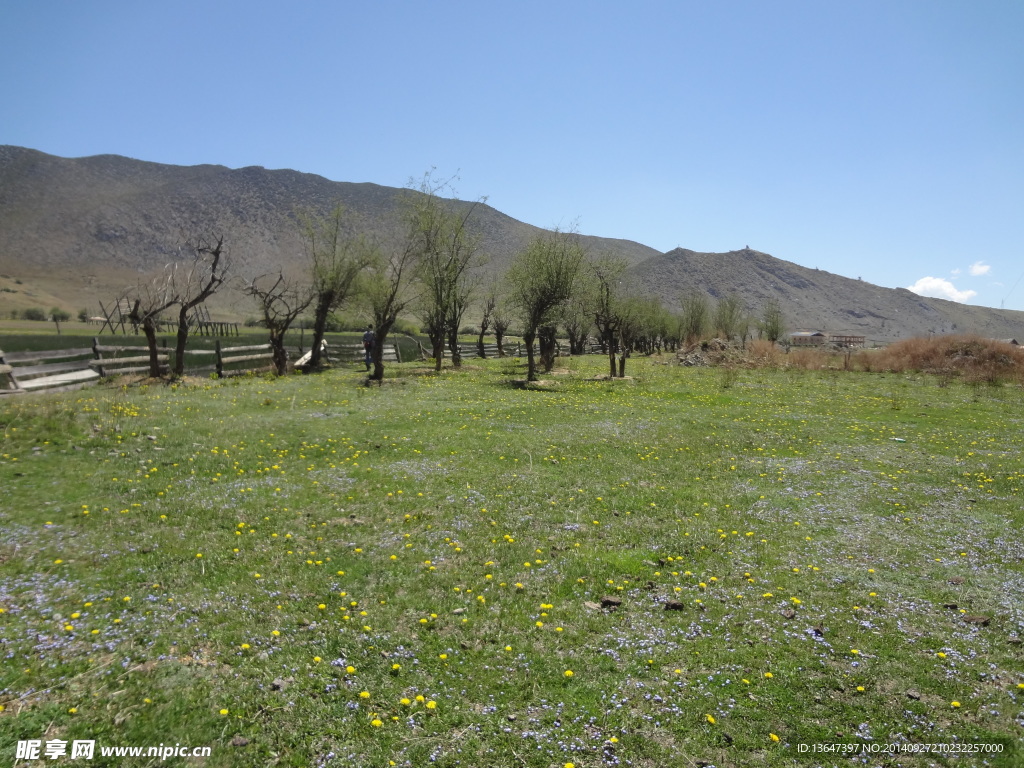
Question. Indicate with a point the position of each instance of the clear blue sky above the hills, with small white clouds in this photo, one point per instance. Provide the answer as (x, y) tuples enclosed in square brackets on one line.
[(880, 140)]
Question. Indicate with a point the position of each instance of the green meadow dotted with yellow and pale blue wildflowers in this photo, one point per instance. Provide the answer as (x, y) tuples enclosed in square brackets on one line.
[(692, 568)]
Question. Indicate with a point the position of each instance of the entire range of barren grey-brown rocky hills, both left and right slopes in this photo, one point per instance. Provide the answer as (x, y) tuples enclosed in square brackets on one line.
[(77, 232)]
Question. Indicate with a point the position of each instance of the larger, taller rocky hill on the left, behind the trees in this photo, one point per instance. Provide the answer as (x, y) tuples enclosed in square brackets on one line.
[(80, 231)]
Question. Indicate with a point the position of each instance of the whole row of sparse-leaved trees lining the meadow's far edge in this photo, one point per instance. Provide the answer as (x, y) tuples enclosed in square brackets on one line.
[(432, 270)]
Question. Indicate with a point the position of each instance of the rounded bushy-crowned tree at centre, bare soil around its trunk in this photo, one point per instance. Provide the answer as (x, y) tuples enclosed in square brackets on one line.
[(543, 277)]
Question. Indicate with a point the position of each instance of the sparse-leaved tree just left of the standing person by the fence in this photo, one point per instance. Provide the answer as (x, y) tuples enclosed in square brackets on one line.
[(336, 260)]
